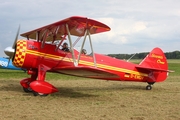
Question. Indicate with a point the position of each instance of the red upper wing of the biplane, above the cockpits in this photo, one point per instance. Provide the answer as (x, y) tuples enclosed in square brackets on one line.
[(77, 27)]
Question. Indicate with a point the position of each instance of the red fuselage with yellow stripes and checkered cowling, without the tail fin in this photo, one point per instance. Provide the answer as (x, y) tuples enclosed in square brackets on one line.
[(31, 55)]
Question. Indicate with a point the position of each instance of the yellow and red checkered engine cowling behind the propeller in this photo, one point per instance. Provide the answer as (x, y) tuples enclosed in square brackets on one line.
[(20, 53)]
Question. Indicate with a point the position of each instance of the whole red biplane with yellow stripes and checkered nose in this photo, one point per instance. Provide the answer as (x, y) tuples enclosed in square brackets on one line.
[(42, 53)]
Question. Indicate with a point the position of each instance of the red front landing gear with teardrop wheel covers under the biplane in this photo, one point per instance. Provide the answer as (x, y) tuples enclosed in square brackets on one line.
[(37, 84)]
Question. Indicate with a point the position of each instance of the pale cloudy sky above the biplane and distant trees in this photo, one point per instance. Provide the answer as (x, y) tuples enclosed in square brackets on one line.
[(136, 25)]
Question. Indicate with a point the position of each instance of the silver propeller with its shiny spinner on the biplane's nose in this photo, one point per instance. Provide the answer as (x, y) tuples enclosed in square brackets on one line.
[(9, 51)]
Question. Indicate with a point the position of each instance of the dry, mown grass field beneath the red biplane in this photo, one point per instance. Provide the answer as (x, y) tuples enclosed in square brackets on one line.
[(89, 99)]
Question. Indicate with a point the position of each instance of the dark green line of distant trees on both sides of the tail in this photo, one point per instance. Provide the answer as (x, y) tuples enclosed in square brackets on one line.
[(169, 55)]
